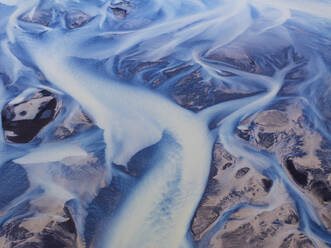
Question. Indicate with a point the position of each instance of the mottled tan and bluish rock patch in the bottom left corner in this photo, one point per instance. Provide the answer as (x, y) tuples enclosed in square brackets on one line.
[(53, 215)]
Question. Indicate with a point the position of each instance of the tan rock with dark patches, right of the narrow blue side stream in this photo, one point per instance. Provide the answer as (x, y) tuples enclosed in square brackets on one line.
[(302, 151)]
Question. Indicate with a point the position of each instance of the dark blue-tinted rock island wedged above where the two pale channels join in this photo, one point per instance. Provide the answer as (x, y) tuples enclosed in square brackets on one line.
[(188, 88)]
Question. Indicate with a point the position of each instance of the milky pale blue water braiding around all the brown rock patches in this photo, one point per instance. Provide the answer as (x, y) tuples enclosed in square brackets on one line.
[(93, 59)]
